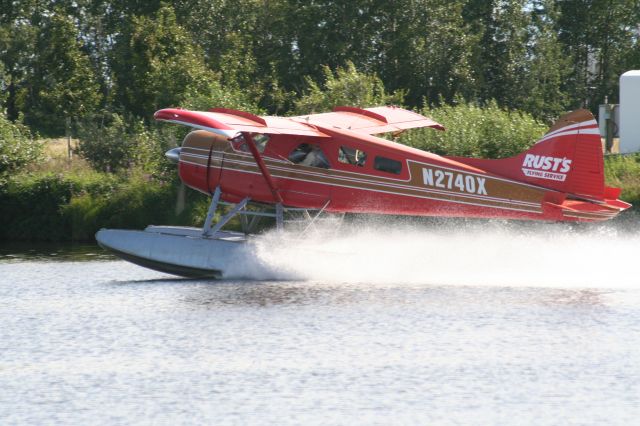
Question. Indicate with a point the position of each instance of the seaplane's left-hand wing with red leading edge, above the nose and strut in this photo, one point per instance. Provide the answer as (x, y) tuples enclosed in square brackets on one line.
[(229, 122)]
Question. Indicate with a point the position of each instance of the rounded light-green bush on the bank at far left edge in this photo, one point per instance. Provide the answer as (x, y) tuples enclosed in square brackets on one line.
[(17, 148)]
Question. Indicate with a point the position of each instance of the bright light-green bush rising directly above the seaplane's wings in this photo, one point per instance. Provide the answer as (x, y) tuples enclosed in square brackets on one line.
[(347, 87)]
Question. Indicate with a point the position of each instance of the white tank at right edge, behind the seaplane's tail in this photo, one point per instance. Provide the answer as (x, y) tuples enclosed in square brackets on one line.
[(630, 112)]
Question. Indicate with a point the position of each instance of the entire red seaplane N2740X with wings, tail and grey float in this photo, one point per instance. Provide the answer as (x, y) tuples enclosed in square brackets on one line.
[(308, 166)]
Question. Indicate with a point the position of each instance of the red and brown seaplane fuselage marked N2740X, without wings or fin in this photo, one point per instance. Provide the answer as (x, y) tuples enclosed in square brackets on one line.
[(366, 175)]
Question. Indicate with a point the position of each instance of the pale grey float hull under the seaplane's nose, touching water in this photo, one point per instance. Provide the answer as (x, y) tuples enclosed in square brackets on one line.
[(177, 250)]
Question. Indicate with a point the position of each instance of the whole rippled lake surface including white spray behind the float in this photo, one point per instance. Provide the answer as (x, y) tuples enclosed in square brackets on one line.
[(478, 324)]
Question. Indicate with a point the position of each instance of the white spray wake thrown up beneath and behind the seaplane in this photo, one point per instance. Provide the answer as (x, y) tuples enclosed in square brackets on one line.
[(495, 253)]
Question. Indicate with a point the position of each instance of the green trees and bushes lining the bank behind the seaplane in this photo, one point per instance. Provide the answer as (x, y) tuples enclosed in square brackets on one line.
[(68, 60)]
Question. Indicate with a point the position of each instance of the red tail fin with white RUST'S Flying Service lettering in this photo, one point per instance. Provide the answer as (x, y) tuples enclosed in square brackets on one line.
[(568, 159)]
